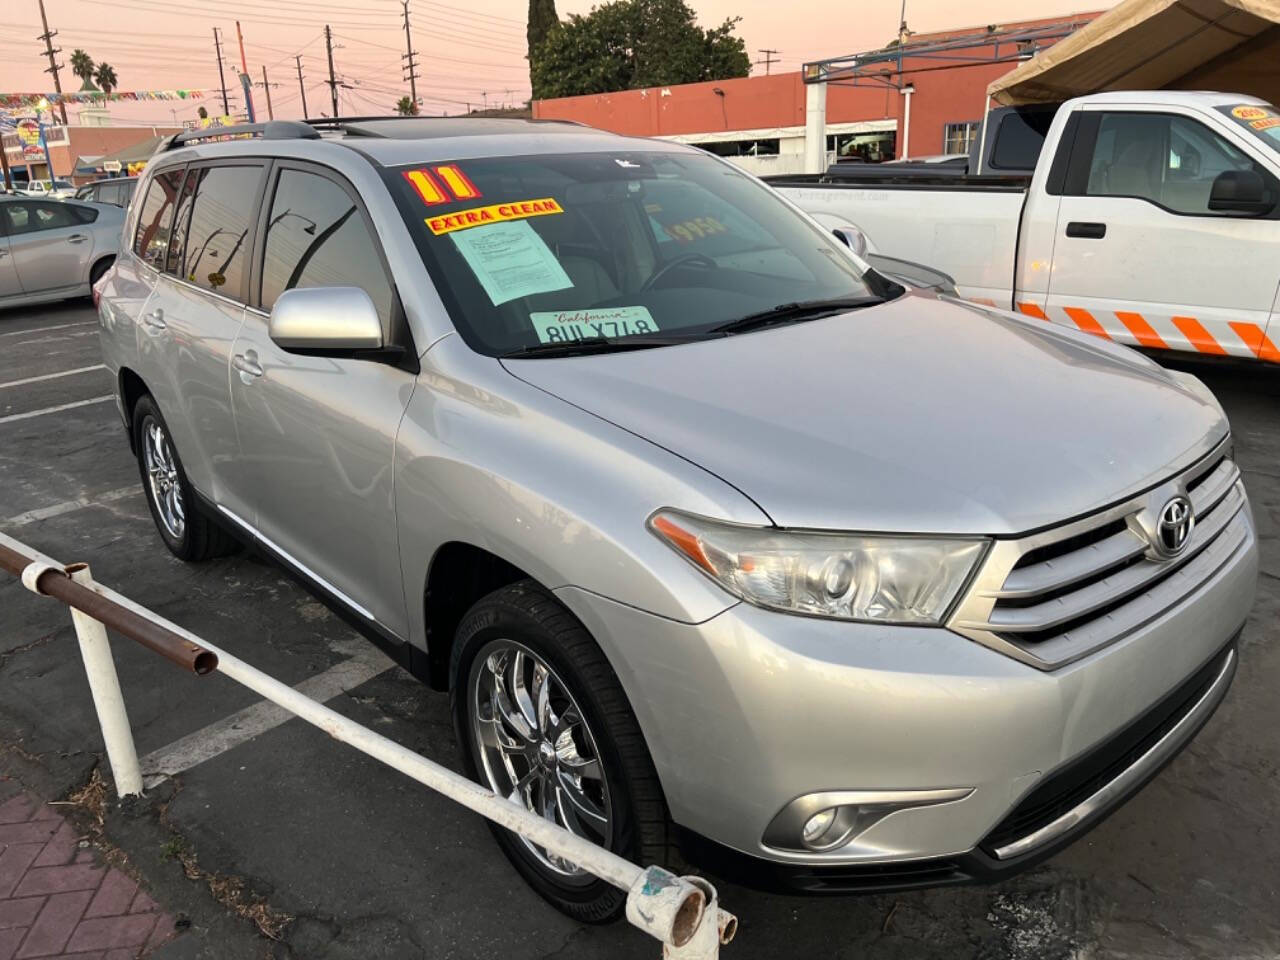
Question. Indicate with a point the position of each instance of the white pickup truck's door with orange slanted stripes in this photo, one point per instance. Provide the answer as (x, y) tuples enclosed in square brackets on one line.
[(1140, 258)]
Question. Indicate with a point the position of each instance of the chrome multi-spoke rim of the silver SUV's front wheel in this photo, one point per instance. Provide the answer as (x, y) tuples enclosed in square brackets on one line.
[(536, 748)]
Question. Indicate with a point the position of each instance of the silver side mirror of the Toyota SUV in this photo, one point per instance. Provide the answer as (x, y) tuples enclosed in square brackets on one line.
[(326, 322)]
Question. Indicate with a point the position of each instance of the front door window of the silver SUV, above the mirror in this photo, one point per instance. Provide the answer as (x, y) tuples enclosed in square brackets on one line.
[(317, 237)]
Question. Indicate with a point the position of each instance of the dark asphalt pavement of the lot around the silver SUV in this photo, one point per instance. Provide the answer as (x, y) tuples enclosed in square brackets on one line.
[(282, 822)]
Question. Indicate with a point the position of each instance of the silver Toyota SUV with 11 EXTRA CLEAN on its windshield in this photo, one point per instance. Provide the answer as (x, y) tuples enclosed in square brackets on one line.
[(723, 541)]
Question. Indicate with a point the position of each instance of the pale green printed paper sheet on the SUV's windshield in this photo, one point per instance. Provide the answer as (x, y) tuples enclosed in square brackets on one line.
[(511, 260)]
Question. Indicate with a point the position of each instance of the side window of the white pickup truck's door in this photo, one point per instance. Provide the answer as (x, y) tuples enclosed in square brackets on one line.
[(1168, 159)]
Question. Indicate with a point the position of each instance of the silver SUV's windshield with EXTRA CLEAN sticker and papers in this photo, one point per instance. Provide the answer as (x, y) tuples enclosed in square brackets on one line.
[(557, 249)]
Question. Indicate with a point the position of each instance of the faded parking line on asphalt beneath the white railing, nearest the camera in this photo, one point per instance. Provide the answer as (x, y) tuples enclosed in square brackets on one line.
[(254, 721)]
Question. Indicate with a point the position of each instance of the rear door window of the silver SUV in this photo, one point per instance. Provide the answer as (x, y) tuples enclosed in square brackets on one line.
[(222, 217)]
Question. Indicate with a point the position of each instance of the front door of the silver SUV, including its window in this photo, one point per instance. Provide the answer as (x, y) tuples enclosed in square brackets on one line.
[(318, 433)]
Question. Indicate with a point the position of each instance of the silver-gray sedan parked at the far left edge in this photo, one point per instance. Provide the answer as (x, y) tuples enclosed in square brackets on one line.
[(54, 249)]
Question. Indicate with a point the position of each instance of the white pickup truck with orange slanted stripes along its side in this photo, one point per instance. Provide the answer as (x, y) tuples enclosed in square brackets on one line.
[(1151, 218)]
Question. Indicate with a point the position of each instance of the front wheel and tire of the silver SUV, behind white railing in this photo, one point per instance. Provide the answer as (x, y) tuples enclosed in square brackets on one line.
[(542, 720)]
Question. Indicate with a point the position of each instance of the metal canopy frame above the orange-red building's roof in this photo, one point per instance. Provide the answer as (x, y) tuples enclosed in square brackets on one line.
[(885, 67)]
